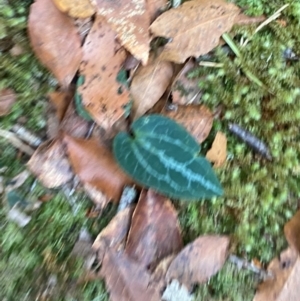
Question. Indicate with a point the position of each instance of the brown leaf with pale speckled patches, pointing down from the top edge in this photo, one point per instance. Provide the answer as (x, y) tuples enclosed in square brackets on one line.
[(131, 21)]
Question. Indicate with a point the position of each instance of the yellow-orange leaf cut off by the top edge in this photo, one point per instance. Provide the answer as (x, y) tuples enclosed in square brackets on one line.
[(75, 8)]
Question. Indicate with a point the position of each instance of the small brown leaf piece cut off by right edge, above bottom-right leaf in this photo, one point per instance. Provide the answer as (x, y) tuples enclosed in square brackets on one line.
[(292, 231)]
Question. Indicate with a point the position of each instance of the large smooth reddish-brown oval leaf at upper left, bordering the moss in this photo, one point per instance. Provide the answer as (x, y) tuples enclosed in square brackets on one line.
[(55, 41)]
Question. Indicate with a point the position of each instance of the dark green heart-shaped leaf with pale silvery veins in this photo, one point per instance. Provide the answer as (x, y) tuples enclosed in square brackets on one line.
[(162, 155)]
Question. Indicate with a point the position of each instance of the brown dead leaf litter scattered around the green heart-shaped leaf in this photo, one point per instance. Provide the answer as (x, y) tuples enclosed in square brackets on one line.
[(145, 236)]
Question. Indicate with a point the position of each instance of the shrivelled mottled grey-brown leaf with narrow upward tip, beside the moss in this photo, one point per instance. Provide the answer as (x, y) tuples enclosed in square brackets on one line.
[(186, 90)]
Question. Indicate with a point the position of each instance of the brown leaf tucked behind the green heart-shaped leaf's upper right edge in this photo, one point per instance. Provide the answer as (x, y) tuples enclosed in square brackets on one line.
[(197, 119)]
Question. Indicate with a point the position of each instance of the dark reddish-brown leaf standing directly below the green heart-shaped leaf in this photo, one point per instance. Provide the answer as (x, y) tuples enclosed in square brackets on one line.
[(154, 232)]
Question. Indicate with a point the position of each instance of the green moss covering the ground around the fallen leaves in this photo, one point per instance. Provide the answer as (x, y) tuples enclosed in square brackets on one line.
[(260, 195)]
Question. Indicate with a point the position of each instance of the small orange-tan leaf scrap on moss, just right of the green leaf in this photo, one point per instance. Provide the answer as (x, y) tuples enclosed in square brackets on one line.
[(218, 151)]
